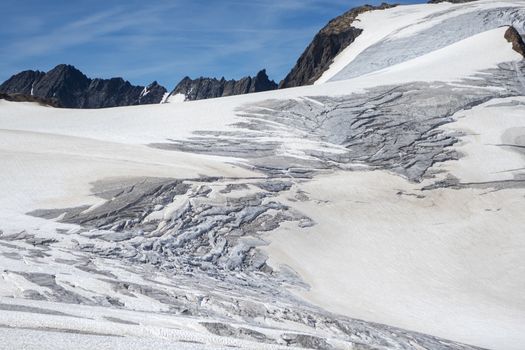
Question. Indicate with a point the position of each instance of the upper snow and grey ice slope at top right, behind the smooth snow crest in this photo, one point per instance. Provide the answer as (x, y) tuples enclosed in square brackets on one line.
[(402, 33)]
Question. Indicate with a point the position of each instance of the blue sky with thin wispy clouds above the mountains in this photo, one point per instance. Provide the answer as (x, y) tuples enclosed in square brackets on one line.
[(162, 40)]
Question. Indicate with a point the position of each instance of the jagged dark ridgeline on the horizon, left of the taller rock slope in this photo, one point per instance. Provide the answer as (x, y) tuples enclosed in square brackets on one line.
[(66, 86)]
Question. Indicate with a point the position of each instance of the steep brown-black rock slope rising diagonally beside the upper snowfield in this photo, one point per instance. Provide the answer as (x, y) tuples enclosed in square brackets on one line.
[(328, 43)]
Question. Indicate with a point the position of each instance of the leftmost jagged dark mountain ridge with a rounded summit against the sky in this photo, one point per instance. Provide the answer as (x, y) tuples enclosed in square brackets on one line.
[(70, 88)]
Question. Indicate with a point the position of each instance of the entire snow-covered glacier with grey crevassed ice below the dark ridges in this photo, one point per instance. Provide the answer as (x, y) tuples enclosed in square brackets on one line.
[(391, 195)]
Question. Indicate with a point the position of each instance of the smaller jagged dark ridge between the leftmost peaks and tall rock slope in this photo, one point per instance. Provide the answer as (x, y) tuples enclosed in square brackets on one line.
[(203, 88)]
